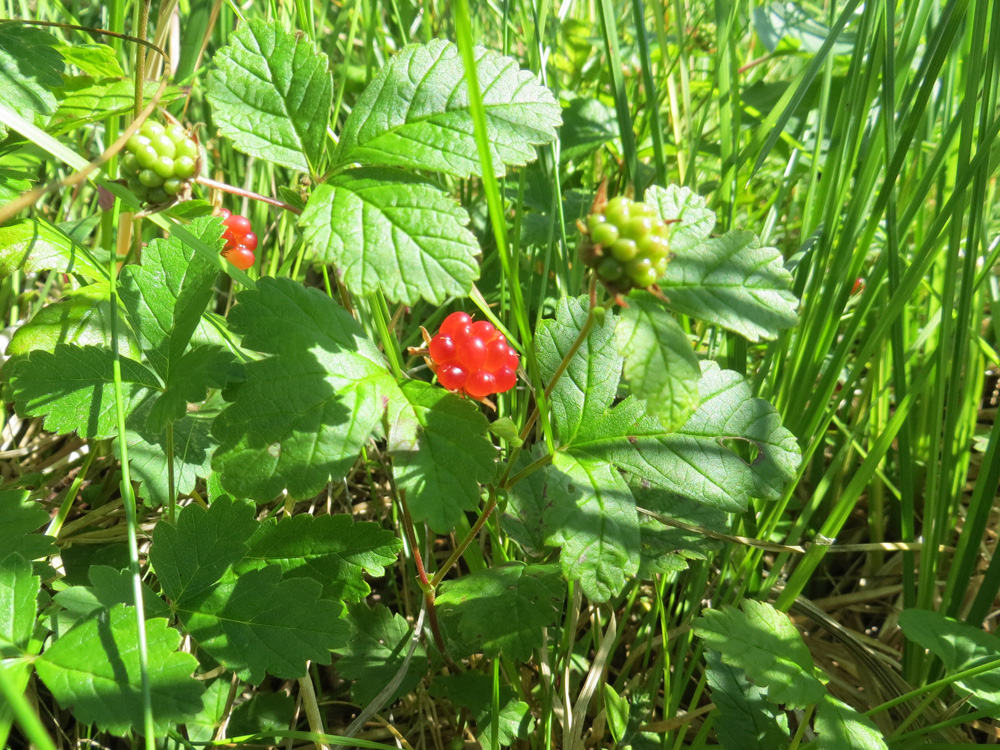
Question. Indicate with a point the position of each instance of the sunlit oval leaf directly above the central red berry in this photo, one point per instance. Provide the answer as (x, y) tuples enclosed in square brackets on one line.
[(385, 229)]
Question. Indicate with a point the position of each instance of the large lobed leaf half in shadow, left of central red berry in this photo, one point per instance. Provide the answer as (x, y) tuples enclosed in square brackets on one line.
[(301, 417)]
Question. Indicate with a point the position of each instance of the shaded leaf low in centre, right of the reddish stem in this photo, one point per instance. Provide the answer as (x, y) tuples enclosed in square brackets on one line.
[(504, 609)]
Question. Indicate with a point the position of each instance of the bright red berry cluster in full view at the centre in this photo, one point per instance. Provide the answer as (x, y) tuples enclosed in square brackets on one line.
[(473, 358)]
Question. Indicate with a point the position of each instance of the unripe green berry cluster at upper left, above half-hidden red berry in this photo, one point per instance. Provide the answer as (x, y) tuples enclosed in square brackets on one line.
[(159, 161)]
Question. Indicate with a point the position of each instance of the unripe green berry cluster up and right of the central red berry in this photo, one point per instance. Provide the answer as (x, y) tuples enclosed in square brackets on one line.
[(627, 245)]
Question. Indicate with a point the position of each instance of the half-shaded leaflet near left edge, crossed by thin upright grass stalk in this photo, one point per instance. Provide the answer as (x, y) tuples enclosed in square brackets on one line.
[(73, 387)]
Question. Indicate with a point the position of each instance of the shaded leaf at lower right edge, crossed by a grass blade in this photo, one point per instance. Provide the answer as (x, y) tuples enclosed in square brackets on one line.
[(960, 646)]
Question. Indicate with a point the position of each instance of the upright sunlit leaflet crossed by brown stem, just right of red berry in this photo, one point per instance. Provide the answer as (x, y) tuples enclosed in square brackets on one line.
[(591, 379)]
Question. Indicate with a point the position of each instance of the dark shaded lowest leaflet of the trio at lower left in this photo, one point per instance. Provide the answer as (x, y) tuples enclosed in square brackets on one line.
[(257, 623)]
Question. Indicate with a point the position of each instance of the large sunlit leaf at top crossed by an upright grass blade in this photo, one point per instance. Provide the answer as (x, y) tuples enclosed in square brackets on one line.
[(415, 113)]
